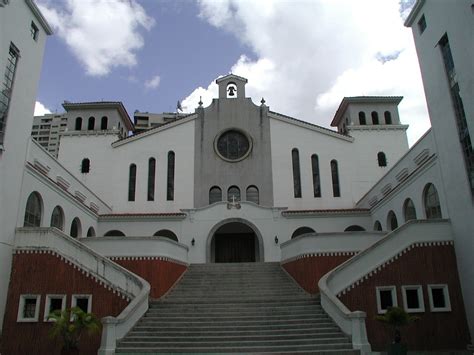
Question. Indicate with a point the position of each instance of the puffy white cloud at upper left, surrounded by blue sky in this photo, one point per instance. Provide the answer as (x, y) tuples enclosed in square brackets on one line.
[(102, 34)]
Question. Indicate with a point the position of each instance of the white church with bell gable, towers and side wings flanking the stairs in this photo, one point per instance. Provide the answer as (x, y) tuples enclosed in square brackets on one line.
[(352, 214)]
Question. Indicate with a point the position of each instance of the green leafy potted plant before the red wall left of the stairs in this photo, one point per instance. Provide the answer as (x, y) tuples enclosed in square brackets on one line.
[(69, 325)]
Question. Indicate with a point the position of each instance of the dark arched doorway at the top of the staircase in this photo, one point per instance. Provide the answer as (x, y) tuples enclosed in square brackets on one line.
[(234, 241)]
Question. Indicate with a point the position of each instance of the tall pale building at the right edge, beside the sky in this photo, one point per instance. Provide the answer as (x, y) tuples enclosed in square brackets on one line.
[(443, 33)]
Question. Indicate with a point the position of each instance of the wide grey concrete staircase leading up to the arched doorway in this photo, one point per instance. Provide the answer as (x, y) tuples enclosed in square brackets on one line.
[(236, 308)]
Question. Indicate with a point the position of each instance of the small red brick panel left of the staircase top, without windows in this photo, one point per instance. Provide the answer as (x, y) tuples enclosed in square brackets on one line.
[(161, 274)]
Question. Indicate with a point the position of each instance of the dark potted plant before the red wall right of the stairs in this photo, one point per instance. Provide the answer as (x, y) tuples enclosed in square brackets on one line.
[(396, 318)]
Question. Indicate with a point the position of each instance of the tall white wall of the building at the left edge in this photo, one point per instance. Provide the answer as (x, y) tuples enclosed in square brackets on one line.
[(15, 20)]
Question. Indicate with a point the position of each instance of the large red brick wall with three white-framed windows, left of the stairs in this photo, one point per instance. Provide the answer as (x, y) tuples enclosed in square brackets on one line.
[(47, 274)]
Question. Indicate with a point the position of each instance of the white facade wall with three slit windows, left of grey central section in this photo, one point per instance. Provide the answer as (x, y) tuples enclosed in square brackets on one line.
[(109, 166)]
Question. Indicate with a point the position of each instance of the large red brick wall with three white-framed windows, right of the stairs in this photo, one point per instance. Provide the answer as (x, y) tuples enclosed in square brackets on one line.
[(419, 266)]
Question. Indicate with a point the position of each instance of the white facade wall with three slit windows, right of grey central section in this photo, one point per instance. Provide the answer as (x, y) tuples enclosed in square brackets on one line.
[(356, 157)]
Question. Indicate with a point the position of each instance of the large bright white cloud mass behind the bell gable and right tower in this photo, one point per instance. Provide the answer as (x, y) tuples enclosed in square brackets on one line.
[(310, 54)]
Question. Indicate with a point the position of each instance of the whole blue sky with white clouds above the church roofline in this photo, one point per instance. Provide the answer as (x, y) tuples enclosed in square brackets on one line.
[(303, 56)]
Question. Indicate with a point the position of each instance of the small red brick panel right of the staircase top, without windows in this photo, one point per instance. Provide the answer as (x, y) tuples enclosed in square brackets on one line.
[(308, 270)]
